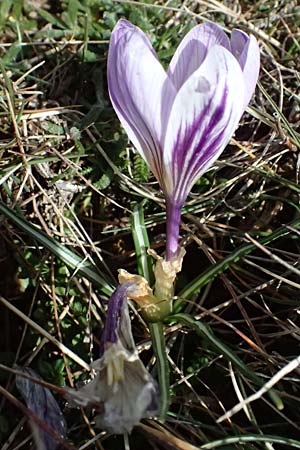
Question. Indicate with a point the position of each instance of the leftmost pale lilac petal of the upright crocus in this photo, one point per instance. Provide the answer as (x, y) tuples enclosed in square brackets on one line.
[(140, 91)]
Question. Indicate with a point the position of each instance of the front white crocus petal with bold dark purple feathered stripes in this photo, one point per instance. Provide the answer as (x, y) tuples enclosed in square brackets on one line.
[(203, 118)]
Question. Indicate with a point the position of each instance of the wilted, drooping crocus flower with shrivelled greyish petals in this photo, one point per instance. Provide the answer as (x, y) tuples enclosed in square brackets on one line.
[(123, 391)]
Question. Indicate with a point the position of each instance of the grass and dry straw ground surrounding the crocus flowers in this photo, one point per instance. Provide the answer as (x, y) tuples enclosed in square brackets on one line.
[(69, 185)]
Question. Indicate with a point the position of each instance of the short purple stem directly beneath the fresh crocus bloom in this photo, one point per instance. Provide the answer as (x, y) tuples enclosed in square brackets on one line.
[(173, 224)]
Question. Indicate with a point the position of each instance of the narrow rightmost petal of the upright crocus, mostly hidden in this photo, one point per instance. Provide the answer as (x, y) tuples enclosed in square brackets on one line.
[(246, 50)]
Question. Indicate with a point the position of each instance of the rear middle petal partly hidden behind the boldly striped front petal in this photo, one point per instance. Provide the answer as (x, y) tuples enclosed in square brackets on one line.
[(193, 50)]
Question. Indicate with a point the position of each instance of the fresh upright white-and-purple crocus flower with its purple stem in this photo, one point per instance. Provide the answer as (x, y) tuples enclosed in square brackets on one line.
[(180, 120)]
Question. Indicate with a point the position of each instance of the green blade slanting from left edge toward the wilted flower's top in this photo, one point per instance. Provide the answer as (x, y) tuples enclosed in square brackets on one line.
[(71, 259)]
